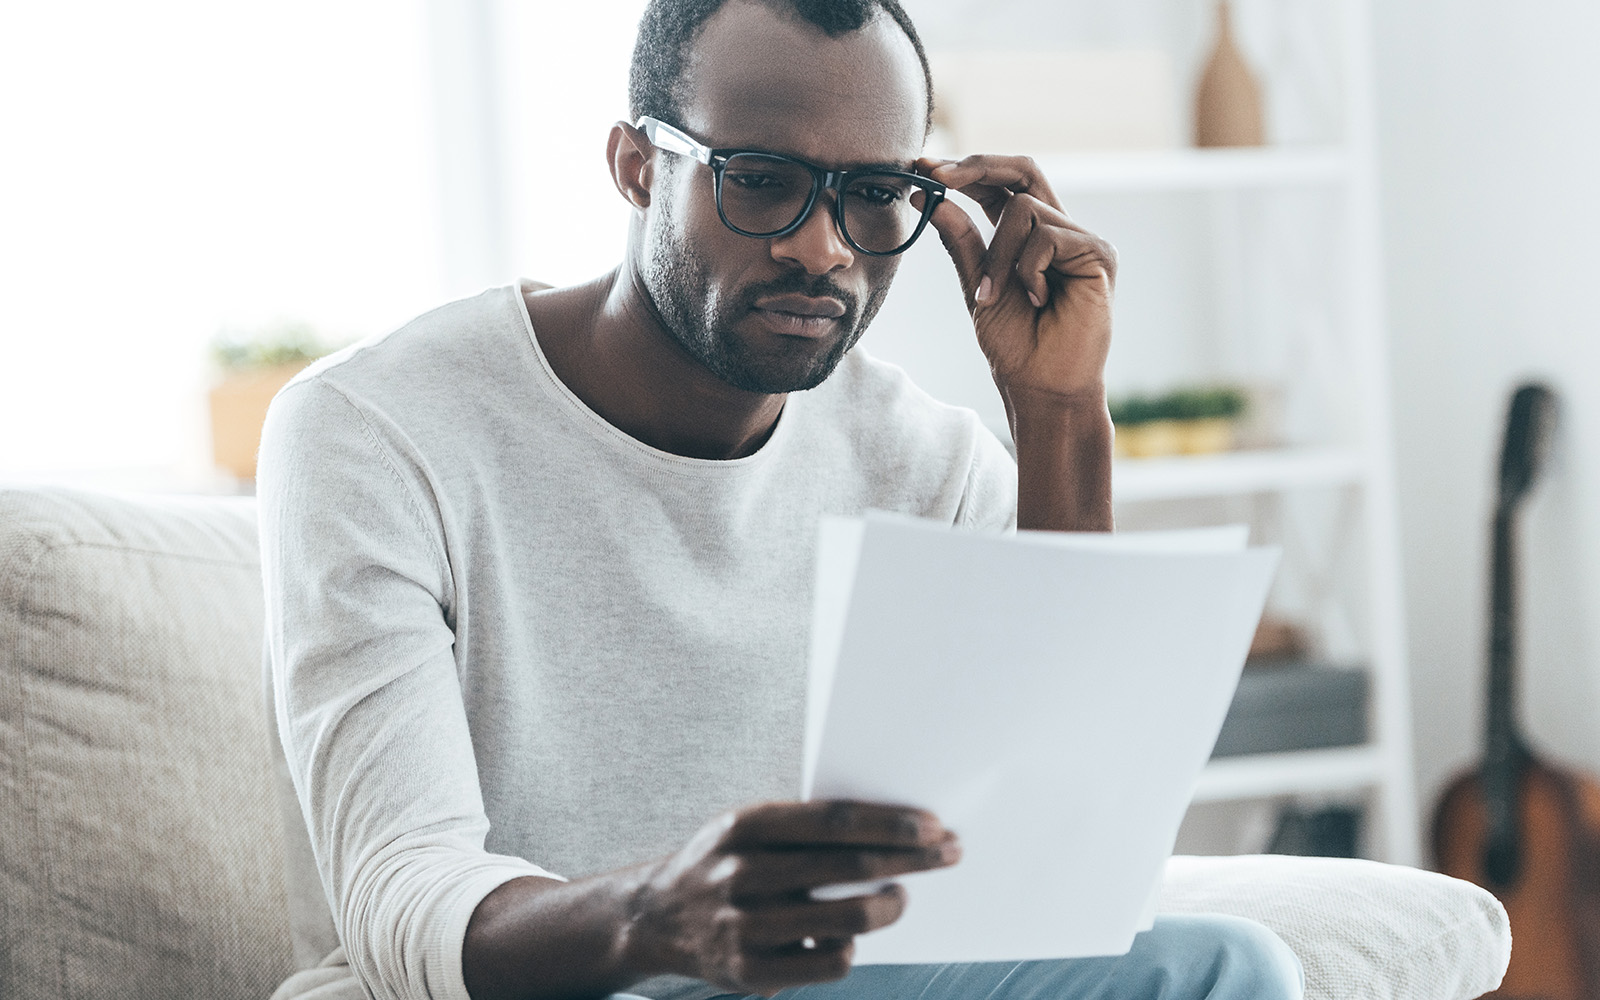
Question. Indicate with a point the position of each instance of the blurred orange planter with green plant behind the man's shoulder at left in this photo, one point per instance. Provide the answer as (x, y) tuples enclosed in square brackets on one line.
[(254, 367)]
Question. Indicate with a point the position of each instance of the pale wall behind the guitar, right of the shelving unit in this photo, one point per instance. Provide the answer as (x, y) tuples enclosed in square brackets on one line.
[(1492, 159)]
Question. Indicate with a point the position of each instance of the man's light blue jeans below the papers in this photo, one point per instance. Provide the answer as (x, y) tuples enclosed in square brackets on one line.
[(1204, 958)]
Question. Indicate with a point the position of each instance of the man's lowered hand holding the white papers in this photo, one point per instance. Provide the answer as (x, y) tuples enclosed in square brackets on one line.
[(735, 906)]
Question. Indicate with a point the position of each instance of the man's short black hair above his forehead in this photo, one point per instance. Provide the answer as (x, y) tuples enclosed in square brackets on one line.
[(671, 26)]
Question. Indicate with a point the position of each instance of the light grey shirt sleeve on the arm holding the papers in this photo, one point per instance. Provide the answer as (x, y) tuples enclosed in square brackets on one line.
[(367, 694)]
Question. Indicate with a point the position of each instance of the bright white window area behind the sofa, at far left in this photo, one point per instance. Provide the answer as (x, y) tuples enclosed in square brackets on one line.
[(182, 167)]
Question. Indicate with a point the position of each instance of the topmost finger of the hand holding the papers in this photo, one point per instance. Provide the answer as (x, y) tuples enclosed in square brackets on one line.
[(833, 823)]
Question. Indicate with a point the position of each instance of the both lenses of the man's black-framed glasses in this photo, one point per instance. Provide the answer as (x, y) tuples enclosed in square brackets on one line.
[(764, 194)]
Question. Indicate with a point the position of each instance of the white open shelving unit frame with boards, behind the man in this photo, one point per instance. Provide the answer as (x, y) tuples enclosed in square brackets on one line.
[(1354, 463)]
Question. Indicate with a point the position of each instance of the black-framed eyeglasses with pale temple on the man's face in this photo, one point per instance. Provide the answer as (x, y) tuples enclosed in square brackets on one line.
[(764, 194)]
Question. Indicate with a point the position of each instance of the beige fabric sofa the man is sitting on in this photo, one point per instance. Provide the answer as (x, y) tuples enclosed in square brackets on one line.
[(143, 850)]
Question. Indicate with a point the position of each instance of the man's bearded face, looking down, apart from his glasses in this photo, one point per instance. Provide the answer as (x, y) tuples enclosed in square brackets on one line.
[(778, 314)]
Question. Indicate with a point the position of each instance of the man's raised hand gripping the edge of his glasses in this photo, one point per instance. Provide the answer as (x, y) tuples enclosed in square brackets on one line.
[(1041, 292)]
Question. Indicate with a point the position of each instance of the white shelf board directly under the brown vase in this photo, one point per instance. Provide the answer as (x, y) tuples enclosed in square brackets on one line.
[(1194, 169)]
